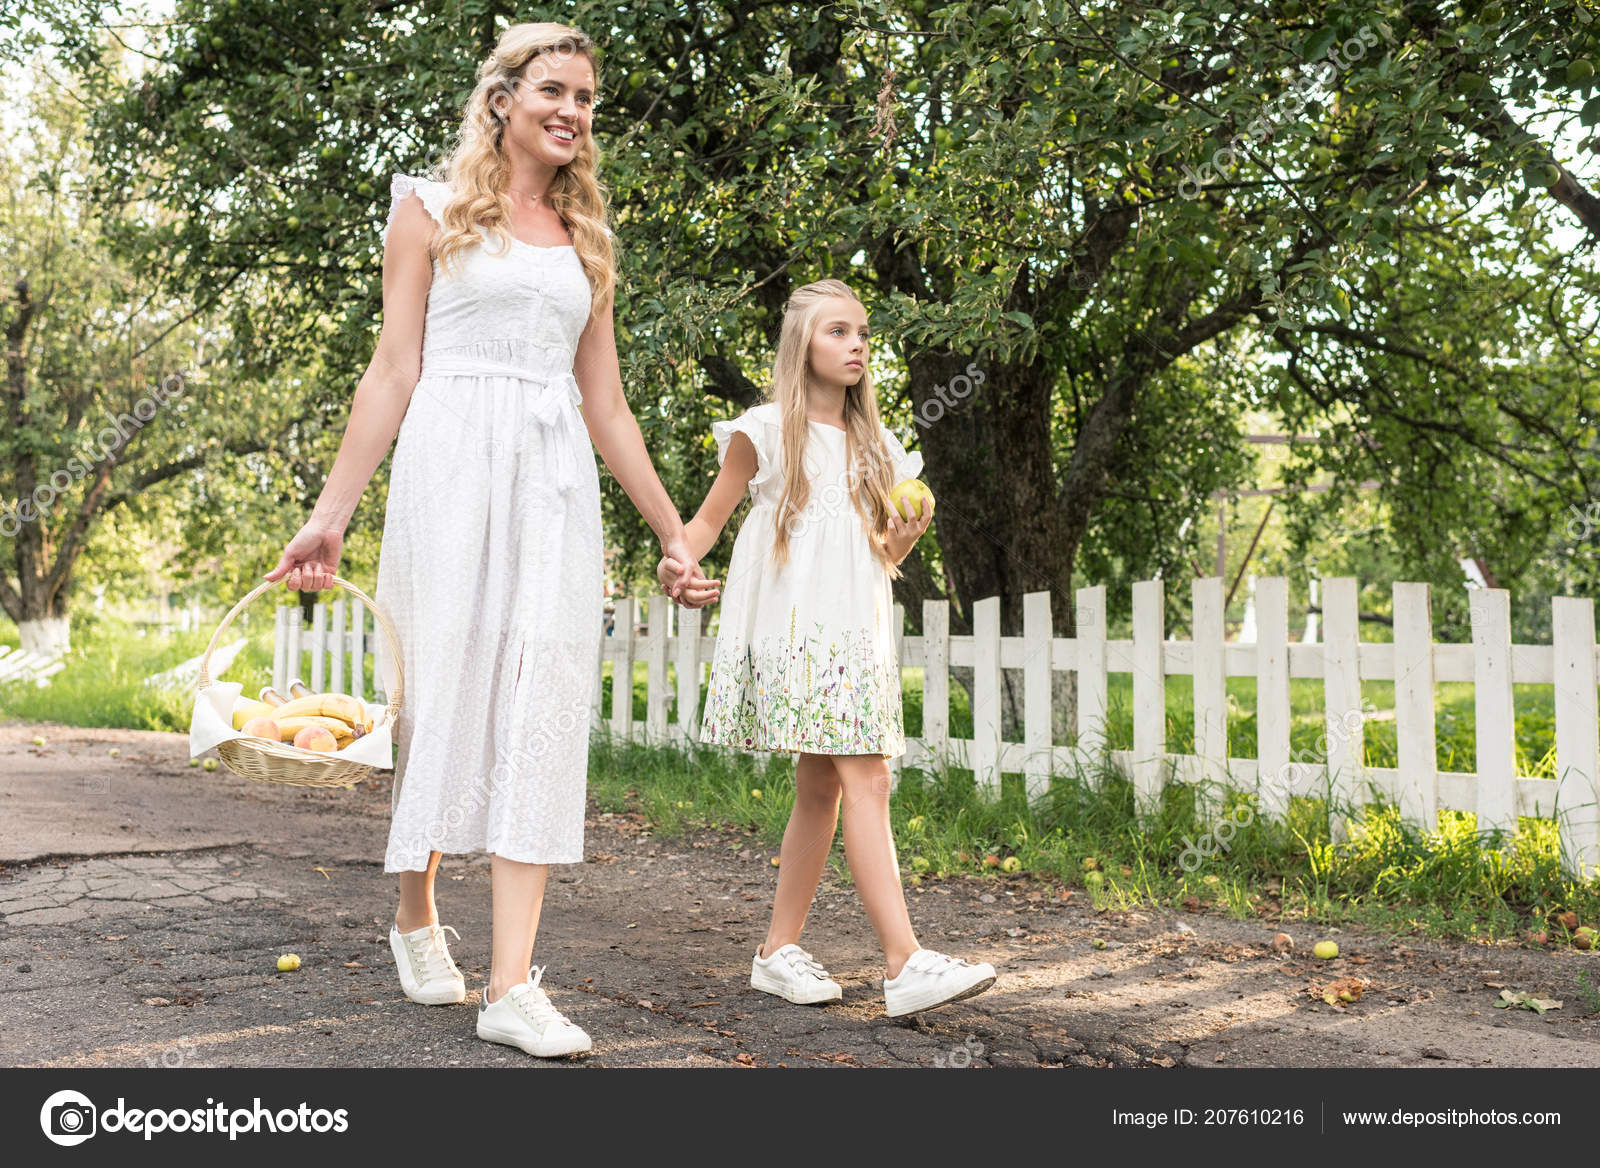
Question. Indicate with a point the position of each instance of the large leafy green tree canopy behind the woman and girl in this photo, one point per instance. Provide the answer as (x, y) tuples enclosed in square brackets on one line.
[(1126, 217)]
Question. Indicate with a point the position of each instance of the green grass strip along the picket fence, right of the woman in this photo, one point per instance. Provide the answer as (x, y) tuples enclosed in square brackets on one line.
[(1390, 876)]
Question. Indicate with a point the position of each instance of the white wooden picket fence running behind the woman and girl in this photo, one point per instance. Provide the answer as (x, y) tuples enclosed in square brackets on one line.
[(1495, 793)]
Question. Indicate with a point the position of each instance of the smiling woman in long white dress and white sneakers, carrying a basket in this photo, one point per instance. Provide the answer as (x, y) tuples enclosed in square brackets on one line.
[(498, 289)]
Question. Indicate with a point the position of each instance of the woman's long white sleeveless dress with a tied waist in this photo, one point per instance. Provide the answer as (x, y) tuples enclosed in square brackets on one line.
[(492, 561)]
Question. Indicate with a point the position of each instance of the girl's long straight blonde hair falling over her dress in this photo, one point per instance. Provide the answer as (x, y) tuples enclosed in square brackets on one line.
[(871, 476)]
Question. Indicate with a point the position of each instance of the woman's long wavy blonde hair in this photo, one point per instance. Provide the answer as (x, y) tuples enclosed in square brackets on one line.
[(479, 169)]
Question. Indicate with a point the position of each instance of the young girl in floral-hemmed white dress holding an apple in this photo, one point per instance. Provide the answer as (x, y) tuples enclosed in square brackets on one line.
[(806, 658)]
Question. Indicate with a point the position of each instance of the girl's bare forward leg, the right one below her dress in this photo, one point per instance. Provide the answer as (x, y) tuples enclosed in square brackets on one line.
[(870, 847)]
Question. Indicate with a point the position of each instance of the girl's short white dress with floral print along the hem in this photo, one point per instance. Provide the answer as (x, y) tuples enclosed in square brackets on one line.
[(806, 654)]
